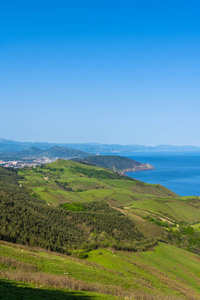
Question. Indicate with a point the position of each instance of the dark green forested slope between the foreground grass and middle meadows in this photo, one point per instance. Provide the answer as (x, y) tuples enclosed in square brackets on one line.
[(27, 219)]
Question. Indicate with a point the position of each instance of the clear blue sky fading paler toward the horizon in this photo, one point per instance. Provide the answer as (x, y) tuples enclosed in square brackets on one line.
[(124, 72)]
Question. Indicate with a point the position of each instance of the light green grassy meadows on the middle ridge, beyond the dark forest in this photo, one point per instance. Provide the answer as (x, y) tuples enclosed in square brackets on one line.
[(137, 197)]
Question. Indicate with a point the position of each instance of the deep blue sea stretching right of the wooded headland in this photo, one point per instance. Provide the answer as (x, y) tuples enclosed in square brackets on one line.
[(178, 171)]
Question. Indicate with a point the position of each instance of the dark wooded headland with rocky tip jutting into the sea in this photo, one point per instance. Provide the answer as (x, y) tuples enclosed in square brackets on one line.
[(115, 163)]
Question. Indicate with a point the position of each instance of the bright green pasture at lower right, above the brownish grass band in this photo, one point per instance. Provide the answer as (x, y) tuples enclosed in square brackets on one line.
[(163, 269)]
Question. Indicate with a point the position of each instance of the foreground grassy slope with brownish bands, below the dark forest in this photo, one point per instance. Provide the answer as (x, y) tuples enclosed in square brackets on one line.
[(165, 272)]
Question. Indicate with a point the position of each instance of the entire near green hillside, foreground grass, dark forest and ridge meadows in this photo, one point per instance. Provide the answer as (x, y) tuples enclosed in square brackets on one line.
[(115, 237)]
